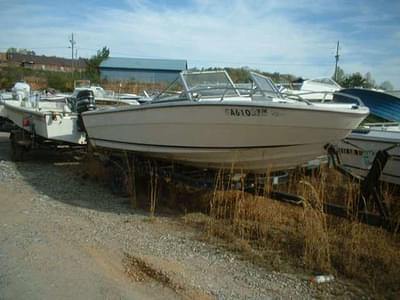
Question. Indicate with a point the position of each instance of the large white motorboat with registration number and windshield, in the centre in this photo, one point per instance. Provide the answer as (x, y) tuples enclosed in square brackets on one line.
[(208, 123)]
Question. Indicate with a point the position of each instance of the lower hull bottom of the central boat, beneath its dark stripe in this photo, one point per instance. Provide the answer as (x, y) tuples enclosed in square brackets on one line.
[(257, 160)]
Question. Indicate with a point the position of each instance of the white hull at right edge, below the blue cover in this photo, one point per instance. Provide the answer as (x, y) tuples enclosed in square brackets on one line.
[(358, 150)]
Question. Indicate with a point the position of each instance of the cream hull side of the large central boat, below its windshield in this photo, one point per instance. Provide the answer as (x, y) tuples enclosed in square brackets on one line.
[(243, 137)]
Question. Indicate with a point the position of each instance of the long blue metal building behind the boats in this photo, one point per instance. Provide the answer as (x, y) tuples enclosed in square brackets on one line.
[(141, 69)]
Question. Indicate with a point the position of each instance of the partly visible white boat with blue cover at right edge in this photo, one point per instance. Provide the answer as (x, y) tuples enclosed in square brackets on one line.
[(358, 150)]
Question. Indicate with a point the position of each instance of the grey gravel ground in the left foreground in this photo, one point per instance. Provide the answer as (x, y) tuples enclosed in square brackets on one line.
[(63, 237)]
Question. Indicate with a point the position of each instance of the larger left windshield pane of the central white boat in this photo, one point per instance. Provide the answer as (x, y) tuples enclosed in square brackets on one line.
[(209, 84)]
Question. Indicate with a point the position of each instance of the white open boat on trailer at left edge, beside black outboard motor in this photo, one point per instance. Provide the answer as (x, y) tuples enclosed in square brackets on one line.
[(42, 122)]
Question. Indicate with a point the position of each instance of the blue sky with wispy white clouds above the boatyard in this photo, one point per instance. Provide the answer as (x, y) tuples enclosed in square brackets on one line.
[(297, 37)]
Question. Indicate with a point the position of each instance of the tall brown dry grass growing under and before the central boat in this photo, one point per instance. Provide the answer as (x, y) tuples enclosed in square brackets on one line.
[(290, 238)]
